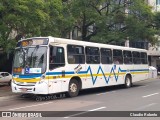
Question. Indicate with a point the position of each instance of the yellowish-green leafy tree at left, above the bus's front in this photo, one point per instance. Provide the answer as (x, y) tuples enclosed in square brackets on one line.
[(29, 18)]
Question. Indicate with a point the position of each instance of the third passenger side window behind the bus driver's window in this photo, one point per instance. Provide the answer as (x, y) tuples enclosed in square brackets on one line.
[(106, 56)]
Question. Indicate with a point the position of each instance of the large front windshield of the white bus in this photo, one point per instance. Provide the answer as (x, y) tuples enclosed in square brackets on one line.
[(30, 60)]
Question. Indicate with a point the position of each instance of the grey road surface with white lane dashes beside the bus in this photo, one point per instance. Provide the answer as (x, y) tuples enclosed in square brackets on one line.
[(143, 96)]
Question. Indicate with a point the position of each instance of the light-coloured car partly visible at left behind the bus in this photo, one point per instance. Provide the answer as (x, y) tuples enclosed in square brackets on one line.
[(5, 77)]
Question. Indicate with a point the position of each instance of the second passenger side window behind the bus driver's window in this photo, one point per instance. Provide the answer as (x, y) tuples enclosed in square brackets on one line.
[(92, 55)]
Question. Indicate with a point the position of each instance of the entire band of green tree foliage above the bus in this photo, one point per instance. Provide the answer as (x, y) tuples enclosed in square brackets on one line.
[(102, 21)]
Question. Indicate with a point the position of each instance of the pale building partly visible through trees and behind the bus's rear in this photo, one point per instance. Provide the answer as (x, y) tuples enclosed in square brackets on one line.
[(153, 50)]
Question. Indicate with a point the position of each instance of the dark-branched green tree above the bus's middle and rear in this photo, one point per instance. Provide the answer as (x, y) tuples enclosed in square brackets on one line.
[(112, 20)]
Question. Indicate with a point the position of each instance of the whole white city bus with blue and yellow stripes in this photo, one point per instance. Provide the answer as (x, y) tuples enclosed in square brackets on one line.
[(48, 65)]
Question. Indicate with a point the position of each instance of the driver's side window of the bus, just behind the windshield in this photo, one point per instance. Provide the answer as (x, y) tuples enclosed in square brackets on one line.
[(57, 58)]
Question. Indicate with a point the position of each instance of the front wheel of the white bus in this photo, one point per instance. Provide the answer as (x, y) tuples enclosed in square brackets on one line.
[(73, 89)]
